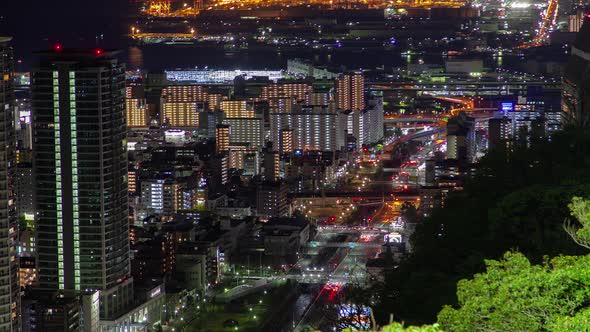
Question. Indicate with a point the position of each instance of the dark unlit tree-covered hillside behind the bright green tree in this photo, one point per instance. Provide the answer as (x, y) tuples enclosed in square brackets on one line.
[(516, 201)]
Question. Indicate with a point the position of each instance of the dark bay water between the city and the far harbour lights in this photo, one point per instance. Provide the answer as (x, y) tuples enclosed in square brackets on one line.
[(37, 25)]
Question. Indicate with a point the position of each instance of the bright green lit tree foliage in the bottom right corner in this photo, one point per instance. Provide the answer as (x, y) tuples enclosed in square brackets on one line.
[(515, 295)]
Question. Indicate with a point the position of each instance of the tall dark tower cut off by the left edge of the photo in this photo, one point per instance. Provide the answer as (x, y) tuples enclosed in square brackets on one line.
[(9, 288)]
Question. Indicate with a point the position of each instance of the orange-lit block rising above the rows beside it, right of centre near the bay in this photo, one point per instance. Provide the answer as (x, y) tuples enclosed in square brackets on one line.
[(350, 92)]
